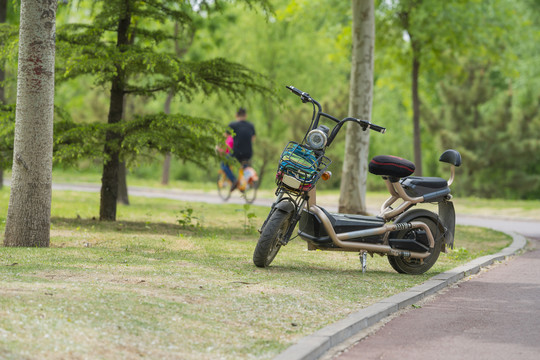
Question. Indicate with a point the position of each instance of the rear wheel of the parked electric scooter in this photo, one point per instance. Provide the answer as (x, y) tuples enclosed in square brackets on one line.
[(416, 266)]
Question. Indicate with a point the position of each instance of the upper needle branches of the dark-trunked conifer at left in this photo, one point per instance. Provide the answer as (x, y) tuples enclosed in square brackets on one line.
[(145, 60)]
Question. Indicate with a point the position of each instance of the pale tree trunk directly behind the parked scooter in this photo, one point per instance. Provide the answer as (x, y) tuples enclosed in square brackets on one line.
[(354, 176)]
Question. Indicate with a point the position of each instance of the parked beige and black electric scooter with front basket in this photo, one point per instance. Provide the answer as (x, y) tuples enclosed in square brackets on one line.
[(412, 239)]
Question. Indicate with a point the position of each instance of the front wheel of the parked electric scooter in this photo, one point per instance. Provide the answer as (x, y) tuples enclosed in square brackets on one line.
[(271, 238)]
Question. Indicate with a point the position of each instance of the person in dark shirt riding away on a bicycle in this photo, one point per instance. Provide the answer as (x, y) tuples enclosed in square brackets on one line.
[(244, 134)]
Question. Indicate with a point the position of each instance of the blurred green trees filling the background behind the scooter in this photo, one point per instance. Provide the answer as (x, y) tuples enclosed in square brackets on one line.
[(474, 88)]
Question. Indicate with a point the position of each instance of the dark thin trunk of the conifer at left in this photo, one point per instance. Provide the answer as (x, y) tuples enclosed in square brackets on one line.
[(113, 139)]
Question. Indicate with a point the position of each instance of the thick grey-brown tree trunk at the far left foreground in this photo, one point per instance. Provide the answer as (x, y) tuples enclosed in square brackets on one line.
[(29, 211)]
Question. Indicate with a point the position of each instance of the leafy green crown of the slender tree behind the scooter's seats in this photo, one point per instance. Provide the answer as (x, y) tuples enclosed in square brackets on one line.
[(435, 36)]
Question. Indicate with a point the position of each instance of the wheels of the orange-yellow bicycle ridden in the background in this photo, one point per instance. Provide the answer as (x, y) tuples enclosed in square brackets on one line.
[(248, 183)]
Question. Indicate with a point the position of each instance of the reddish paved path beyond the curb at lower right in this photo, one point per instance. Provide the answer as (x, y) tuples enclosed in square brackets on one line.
[(494, 315)]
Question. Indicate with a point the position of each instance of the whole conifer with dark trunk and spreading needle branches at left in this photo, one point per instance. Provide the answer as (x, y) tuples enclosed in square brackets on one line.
[(136, 48)]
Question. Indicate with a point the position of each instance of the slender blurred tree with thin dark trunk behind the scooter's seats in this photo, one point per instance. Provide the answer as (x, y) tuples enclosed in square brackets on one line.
[(430, 37)]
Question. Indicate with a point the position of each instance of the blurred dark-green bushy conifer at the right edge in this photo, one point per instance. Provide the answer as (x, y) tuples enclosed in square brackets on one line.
[(495, 136)]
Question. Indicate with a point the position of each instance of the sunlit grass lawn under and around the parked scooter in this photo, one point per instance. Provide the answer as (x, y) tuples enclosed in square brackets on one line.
[(175, 280)]
